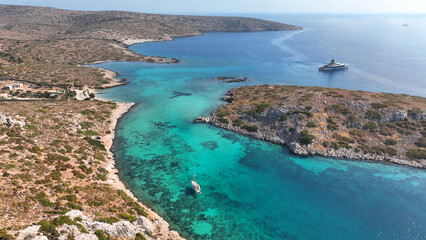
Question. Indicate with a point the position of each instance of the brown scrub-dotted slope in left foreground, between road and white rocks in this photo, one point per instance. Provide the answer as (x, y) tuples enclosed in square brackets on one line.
[(56, 162)]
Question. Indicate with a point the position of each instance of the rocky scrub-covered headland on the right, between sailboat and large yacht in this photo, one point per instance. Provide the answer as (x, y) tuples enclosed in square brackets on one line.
[(329, 122)]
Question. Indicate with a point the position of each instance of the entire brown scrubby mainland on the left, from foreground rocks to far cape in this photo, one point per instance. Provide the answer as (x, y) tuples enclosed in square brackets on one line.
[(58, 176)]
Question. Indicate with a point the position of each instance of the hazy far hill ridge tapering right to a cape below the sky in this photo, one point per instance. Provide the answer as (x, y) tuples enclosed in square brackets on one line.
[(26, 22)]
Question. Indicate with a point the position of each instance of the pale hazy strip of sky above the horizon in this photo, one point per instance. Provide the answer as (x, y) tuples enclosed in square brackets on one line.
[(236, 6)]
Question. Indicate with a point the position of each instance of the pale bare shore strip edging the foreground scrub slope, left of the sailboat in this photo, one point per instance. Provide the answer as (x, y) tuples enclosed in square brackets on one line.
[(162, 228)]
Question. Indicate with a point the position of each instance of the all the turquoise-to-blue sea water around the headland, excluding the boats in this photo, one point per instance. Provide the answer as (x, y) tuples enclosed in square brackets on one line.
[(254, 189)]
